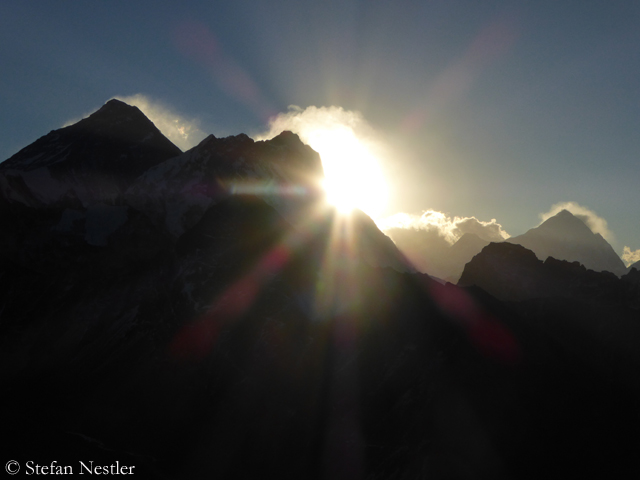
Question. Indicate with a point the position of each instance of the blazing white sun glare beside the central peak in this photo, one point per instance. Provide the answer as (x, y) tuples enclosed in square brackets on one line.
[(353, 177)]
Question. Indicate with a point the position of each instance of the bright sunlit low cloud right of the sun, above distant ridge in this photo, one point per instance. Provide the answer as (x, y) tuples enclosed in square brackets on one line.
[(447, 227)]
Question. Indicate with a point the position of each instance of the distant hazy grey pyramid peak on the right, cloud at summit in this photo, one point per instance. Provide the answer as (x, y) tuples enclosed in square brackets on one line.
[(566, 237)]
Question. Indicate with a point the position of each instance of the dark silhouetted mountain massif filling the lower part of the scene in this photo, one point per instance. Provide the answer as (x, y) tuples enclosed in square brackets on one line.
[(208, 316)]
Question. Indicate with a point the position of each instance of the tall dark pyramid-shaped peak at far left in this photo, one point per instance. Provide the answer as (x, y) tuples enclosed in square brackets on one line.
[(92, 161)]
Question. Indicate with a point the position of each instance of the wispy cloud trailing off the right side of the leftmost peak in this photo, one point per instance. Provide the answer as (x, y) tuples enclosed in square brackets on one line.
[(182, 131)]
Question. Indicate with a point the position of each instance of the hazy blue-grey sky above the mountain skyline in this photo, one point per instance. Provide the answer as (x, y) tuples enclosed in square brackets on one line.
[(494, 110)]
